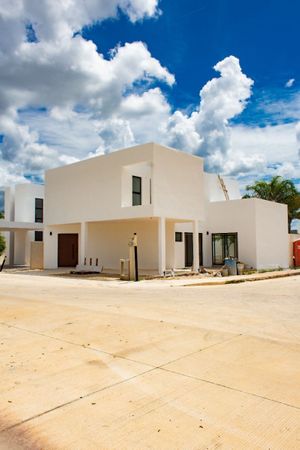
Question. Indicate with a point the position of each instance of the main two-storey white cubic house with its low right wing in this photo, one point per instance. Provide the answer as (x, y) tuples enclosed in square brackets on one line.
[(183, 216)]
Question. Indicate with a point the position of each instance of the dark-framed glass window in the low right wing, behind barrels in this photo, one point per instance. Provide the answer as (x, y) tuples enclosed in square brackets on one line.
[(224, 245)]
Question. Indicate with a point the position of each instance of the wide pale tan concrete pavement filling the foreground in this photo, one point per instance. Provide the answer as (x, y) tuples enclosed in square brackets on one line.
[(89, 365)]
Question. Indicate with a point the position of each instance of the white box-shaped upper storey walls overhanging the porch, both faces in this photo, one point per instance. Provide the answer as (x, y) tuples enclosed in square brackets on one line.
[(101, 188)]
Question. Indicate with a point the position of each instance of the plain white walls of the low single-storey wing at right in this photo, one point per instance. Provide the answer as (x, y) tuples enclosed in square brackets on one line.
[(261, 226)]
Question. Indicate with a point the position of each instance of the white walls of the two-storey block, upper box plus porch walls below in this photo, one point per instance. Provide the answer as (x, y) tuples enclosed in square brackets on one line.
[(99, 191)]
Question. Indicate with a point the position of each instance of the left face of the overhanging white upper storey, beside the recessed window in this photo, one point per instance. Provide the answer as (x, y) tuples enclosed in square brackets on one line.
[(92, 189)]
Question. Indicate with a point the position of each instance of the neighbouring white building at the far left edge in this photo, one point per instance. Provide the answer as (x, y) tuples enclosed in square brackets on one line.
[(23, 221)]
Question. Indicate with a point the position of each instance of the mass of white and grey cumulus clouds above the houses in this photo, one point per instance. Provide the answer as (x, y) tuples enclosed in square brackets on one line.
[(61, 100)]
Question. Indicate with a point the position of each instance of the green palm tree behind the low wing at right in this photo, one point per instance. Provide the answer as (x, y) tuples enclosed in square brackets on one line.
[(278, 190)]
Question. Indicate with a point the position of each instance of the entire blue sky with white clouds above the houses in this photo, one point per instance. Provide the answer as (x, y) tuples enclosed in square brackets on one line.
[(215, 78)]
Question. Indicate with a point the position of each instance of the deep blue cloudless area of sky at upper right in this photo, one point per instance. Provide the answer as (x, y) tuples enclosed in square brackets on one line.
[(191, 36)]
